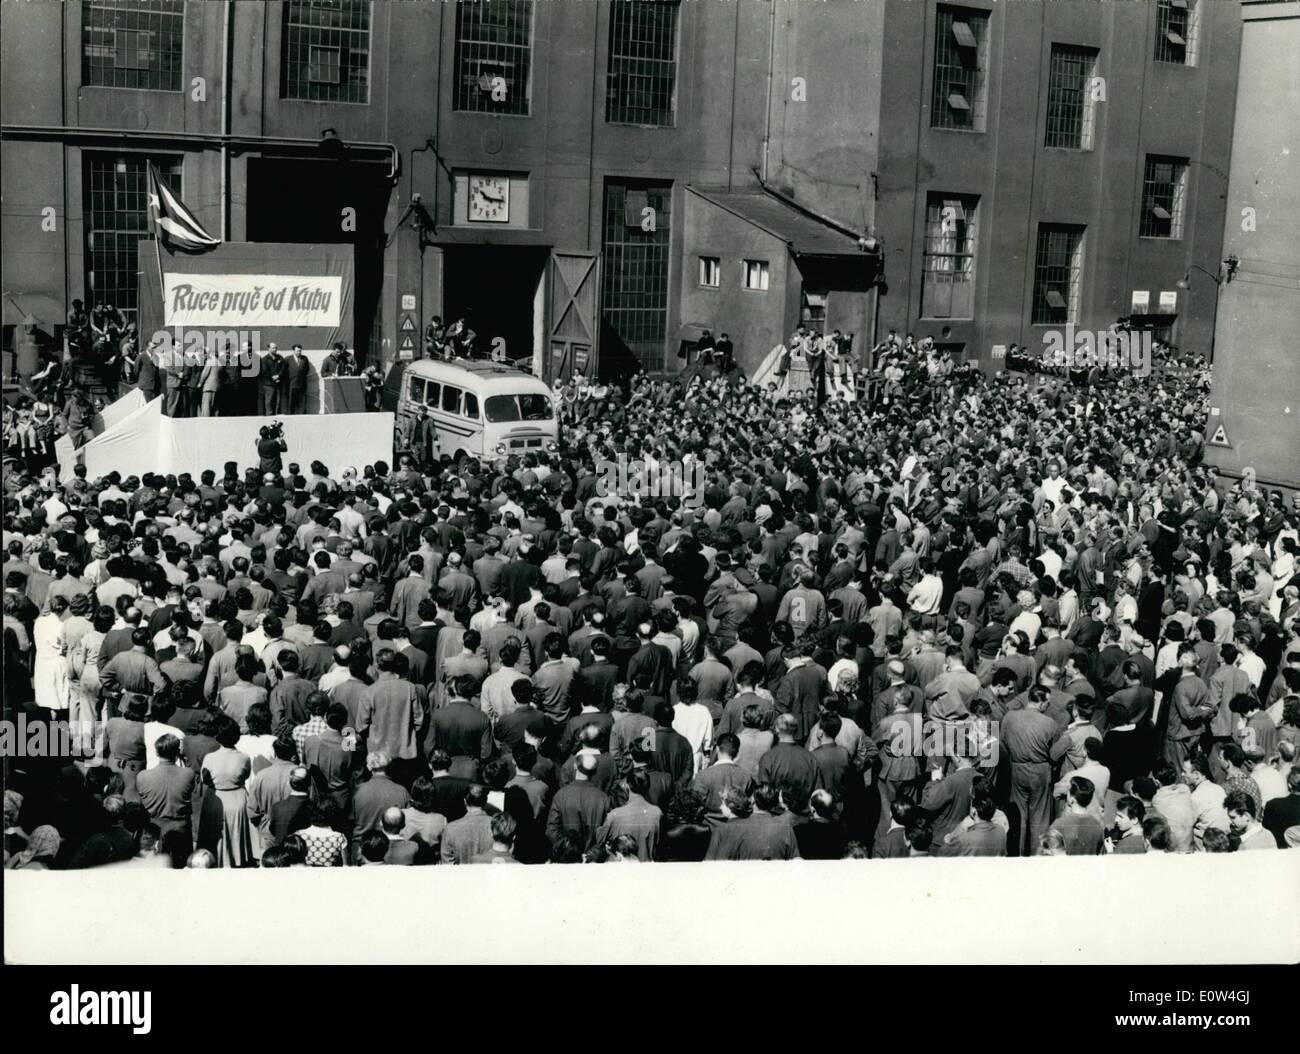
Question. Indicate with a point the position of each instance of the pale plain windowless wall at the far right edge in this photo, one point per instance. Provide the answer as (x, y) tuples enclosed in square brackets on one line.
[(1256, 378)]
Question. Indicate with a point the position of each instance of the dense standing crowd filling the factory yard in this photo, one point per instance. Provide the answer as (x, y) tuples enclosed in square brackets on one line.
[(969, 615)]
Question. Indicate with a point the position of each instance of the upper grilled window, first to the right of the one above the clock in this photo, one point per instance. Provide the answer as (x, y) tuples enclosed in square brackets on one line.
[(642, 81)]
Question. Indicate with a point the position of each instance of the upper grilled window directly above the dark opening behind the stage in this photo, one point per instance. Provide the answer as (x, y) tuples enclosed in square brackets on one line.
[(327, 51)]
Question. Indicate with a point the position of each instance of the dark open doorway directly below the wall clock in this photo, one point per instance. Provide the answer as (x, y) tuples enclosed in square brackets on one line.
[(495, 289)]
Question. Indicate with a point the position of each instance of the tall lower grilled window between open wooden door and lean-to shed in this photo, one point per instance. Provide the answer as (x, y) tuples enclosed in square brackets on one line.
[(635, 281)]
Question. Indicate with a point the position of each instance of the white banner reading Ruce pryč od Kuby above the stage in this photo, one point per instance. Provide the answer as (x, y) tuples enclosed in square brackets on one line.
[(249, 301)]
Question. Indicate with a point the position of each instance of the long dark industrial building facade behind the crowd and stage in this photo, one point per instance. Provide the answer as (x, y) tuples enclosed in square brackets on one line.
[(599, 180)]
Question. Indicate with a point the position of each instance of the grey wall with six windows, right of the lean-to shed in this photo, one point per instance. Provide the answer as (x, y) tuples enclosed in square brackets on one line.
[(1150, 109)]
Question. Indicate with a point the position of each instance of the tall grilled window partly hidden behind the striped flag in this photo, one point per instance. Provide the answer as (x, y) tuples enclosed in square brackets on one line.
[(116, 193)]
